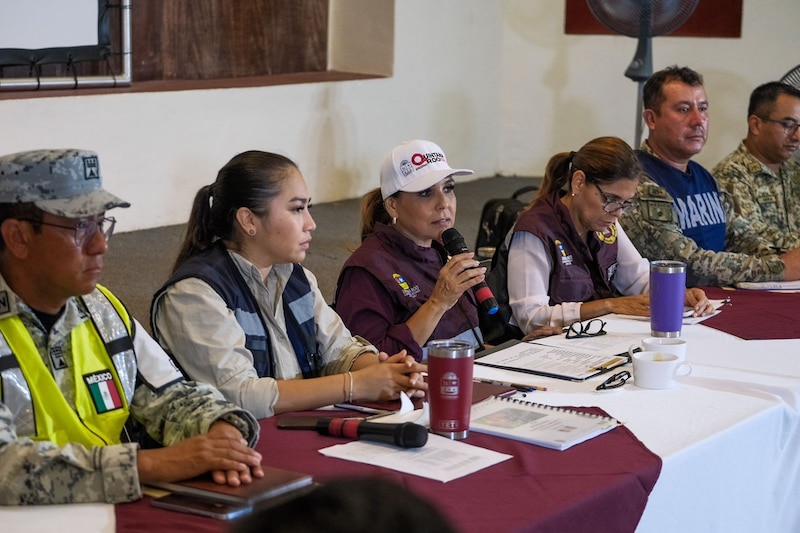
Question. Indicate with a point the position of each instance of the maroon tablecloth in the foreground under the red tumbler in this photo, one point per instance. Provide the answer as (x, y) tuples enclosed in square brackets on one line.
[(599, 485)]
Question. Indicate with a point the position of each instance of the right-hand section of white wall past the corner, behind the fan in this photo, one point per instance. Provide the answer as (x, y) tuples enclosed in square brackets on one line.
[(560, 91)]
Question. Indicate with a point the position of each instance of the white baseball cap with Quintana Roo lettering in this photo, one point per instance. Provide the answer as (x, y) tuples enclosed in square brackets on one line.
[(414, 166)]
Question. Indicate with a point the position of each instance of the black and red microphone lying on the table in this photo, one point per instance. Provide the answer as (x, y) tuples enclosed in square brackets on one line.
[(405, 435)]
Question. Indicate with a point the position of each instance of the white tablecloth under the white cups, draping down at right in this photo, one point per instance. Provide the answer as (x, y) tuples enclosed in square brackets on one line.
[(728, 434)]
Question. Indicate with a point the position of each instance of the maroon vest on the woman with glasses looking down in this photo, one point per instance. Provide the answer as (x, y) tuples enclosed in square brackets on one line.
[(581, 271)]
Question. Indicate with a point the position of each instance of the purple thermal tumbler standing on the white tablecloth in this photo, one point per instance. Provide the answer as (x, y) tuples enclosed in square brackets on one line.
[(667, 296)]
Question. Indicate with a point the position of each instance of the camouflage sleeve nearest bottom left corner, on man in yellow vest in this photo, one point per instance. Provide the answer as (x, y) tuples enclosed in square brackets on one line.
[(40, 472)]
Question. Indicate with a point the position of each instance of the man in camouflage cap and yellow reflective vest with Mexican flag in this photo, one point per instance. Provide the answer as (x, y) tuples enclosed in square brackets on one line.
[(79, 377)]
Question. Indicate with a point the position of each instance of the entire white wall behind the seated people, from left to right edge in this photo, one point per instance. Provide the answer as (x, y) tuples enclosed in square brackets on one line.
[(496, 83)]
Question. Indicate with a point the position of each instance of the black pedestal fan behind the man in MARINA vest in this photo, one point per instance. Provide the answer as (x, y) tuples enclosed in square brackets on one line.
[(642, 19)]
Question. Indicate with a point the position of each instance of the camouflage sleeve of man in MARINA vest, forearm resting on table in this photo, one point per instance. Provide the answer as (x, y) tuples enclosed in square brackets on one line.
[(654, 230)]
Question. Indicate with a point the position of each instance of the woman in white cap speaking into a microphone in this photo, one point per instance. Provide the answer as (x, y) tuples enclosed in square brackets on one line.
[(398, 289)]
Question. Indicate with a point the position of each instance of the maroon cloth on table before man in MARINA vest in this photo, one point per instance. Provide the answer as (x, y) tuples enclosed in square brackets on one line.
[(756, 315)]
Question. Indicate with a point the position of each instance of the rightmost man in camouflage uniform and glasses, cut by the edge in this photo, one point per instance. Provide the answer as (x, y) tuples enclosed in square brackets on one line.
[(761, 175)]
